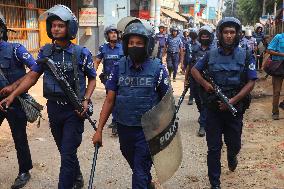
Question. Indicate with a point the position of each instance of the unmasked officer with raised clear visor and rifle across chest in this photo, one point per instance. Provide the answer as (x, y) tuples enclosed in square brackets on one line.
[(76, 64)]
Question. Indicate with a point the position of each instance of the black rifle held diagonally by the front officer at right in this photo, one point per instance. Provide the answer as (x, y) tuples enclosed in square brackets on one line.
[(218, 92)]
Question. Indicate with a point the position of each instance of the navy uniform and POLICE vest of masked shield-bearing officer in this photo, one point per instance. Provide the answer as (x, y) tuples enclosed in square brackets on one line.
[(137, 91)]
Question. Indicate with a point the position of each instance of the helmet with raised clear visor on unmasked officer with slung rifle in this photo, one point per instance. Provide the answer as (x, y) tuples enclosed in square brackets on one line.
[(61, 12)]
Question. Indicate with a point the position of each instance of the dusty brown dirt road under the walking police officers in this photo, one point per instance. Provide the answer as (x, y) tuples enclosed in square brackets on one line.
[(261, 161)]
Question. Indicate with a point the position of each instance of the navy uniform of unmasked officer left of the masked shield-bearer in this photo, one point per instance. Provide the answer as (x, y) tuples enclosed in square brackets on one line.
[(66, 126)]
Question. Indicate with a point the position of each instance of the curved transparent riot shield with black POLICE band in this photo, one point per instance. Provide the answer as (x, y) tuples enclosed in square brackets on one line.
[(163, 137)]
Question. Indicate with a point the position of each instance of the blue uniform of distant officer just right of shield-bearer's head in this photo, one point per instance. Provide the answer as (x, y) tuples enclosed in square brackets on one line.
[(174, 44)]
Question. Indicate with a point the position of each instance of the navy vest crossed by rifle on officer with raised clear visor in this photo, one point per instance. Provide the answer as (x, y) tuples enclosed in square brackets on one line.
[(64, 62)]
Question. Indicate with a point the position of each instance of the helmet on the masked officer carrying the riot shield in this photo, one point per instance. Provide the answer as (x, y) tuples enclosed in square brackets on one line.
[(138, 29)]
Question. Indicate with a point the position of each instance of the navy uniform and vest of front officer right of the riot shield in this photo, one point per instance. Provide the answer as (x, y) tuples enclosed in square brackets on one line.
[(223, 122)]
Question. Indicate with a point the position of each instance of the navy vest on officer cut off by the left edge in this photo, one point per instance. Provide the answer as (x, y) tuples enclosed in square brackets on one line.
[(9, 66)]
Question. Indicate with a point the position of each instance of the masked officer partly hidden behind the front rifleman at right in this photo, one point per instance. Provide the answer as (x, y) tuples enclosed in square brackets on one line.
[(205, 37)]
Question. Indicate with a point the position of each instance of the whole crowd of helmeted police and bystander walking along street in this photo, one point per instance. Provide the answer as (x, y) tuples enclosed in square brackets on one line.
[(136, 80)]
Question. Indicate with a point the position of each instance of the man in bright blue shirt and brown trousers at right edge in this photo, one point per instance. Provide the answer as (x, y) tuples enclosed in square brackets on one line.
[(276, 49)]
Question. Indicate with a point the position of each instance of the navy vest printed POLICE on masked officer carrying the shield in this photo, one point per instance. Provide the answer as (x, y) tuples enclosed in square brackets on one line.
[(136, 92)]
